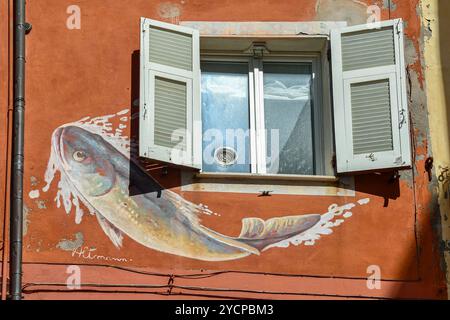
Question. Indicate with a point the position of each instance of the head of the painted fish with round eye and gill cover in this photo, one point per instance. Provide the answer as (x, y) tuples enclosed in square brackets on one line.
[(85, 159)]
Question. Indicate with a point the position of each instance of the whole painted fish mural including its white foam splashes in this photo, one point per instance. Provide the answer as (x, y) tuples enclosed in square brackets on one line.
[(95, 170)]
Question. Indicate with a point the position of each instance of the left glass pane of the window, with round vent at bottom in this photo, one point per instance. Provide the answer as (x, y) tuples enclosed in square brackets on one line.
[(225, 117)]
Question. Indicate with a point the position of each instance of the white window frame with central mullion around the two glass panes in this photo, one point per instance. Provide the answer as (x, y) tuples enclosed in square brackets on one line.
[(256, 108)]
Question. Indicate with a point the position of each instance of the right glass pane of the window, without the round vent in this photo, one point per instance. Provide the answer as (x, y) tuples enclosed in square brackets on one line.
[(288, 118)]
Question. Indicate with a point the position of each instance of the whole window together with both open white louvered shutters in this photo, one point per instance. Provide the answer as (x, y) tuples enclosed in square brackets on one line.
[(261, 106)]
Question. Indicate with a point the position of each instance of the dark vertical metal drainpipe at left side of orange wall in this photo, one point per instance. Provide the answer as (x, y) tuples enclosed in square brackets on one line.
[(15, 268)]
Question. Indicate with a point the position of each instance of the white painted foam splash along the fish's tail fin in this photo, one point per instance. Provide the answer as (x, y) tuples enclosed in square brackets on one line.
[(335, 216)]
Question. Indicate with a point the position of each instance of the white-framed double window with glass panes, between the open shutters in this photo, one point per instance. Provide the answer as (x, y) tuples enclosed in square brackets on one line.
[(254, 113)]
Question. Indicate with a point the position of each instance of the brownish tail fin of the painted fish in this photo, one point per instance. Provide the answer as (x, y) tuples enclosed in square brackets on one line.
[(260, 234)]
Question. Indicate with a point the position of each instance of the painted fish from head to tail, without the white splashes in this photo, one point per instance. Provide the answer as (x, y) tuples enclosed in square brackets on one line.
[(157, 218)]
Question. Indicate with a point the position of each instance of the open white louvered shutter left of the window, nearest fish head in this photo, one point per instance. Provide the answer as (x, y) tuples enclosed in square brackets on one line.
[(170, 94)]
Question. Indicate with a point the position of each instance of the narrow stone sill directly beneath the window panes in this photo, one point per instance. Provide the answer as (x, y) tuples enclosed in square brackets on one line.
[(272, 177)]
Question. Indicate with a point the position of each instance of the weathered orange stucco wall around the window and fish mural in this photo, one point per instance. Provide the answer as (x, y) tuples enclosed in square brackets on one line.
[(72, 74)]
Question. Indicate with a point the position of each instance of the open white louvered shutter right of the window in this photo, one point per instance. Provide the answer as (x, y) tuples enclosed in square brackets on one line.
[(369, 93)]
